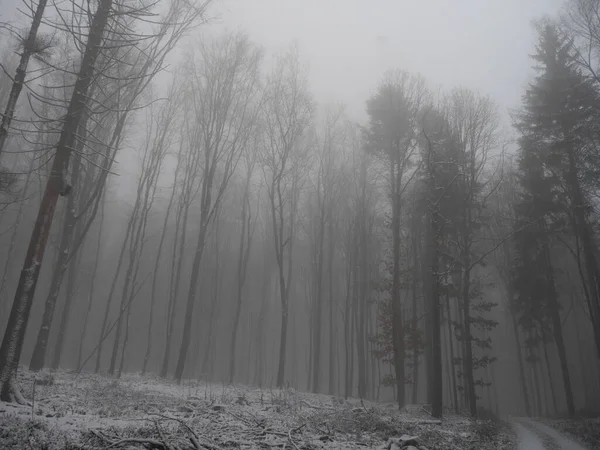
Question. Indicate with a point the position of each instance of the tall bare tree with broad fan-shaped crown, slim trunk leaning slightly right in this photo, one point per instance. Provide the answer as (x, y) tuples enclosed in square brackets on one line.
[(224, 84)]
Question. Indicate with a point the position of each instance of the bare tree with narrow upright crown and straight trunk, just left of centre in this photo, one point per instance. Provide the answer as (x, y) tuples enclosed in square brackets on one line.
[(287, 114)]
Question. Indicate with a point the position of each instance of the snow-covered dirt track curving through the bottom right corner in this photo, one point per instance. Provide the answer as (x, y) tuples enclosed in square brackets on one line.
[(533, 435)]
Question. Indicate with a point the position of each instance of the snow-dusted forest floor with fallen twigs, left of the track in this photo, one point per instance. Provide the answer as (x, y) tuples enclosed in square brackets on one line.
[(134, 412)]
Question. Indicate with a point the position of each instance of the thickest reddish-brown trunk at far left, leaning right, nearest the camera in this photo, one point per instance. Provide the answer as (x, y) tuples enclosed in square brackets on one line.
[(12, 343)]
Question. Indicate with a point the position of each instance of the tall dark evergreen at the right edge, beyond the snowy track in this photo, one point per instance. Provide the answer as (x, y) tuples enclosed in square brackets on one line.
[(556, 126)]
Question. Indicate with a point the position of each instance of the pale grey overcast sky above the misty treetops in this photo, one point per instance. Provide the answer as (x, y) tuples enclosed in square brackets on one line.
[(482, 44)]
